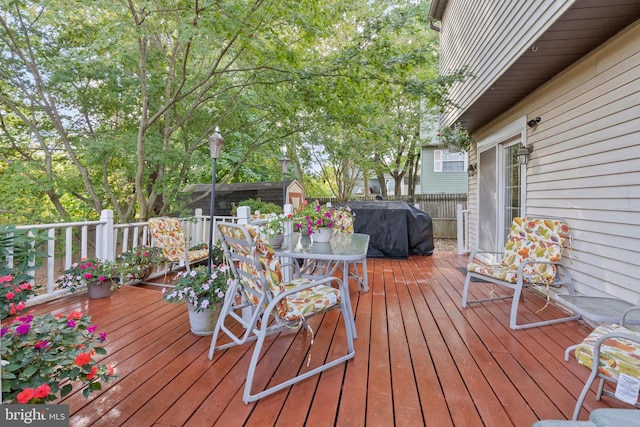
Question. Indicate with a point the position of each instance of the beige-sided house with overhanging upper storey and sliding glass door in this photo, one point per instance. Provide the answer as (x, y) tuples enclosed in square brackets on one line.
[(575, 65)]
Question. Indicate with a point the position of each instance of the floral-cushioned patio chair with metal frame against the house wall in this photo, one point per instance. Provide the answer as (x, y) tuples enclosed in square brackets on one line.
[(531, 256)]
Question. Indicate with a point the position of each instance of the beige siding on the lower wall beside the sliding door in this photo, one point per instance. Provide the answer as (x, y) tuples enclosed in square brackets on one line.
[(585, 163)]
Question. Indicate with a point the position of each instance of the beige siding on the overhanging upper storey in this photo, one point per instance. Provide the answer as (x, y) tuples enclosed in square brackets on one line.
[(495, 33)]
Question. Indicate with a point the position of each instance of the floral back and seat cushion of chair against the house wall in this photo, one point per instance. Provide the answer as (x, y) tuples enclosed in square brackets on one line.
[(529, 239)]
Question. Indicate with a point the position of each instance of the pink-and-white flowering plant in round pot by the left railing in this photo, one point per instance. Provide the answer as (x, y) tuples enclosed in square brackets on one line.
[(100, 276)]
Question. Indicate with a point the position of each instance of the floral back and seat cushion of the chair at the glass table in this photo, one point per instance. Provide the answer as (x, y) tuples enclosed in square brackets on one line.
[(293, 307)]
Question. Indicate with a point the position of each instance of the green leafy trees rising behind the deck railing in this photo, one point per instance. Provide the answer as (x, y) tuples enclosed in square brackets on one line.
[(110, 105)]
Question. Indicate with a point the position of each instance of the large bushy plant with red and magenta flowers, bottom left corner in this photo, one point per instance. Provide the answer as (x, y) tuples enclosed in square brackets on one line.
[(46, 355)]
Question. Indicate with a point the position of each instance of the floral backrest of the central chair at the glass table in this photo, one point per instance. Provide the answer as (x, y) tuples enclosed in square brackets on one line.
[(254, 263)]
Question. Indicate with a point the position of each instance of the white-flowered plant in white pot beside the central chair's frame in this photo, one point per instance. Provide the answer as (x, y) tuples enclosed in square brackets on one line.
[(203, 293)]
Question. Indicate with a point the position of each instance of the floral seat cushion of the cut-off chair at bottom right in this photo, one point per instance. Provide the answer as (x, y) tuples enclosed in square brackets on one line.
[(617, 355)]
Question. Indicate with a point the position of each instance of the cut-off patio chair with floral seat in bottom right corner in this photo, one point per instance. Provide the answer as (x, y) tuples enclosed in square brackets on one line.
[(617, 349)]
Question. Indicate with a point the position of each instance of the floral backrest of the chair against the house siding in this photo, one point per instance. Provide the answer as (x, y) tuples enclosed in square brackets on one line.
[(536, 239)]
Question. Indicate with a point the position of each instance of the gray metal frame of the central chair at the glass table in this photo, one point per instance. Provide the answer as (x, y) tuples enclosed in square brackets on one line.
[(261, 320)]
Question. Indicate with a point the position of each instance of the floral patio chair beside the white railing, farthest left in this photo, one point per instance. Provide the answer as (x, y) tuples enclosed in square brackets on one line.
[(166, 233)]
